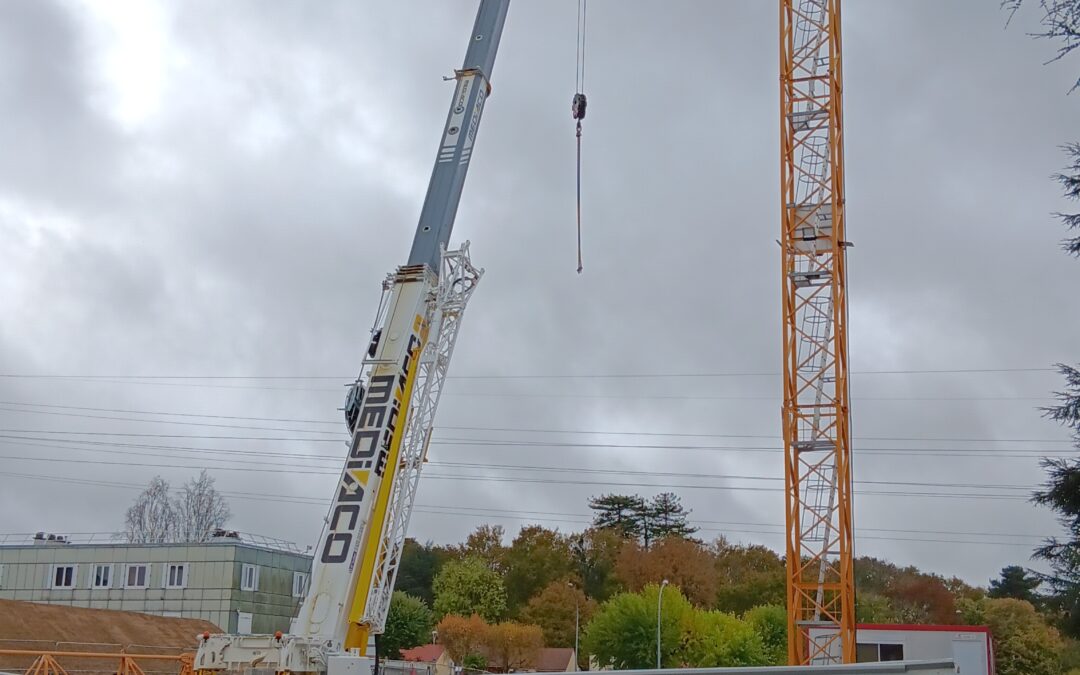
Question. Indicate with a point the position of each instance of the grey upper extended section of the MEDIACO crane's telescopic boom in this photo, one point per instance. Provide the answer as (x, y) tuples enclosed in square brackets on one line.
[(460, 136)]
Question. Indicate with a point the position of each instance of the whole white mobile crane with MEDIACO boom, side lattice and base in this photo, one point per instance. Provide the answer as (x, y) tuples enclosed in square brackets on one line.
[(389, 413)]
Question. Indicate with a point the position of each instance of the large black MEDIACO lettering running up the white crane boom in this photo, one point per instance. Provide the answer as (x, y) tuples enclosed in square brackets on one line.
[(371, 447)]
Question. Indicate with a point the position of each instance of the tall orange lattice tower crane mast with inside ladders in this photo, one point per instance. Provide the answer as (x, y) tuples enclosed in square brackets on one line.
[(821, 610)]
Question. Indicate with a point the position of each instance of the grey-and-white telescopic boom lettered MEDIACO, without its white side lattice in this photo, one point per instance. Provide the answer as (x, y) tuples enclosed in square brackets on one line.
[(334, 609)]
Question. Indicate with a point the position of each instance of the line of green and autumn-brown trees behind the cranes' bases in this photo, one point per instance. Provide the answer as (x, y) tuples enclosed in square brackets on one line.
[(723, 606)]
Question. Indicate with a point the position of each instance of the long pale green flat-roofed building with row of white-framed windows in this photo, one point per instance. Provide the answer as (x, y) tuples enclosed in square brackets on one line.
[(242, 584)]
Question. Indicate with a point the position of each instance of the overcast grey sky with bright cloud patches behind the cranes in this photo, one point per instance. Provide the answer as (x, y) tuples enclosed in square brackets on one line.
[(218, 190)]
